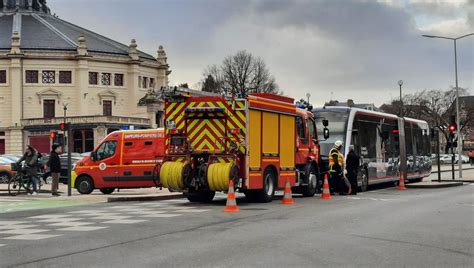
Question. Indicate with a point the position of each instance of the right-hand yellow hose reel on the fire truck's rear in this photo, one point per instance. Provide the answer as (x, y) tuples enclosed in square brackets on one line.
[(219, 175)]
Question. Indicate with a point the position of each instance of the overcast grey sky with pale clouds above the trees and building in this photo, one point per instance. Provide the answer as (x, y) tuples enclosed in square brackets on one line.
[(344, 49)]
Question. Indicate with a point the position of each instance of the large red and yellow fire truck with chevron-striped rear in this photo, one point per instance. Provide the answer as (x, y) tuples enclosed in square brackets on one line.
[(259, 142)]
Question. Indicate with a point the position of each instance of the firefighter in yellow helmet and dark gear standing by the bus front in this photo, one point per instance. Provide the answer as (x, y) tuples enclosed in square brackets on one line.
[(337, 181)]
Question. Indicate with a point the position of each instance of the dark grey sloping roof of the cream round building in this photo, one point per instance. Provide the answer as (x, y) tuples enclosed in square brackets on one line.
[(39, 30)]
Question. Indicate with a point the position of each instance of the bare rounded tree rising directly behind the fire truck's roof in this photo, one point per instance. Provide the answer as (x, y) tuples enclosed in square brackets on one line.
[(239, 75)]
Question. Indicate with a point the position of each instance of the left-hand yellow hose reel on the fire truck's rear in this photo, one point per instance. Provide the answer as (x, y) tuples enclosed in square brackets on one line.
[(172, 174)]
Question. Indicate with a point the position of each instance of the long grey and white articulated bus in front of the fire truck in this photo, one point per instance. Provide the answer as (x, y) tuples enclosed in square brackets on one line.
[(376, 138)]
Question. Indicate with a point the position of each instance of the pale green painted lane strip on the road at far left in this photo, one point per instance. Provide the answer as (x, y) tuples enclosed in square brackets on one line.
[(32, 204)]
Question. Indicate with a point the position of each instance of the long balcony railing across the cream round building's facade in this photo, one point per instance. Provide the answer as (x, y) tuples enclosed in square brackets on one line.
[(81, 120)]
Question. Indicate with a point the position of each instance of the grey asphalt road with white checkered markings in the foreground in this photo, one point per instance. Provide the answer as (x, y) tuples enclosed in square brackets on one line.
[(381, 228)]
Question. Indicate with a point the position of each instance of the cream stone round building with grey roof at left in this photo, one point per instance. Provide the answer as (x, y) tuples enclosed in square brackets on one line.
[(47, 64)]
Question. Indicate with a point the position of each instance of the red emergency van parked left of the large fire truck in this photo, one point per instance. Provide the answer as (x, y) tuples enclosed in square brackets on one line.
[(124, 159)]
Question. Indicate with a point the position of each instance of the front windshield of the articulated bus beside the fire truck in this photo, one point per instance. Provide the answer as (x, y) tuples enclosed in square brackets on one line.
[(337, 128)]
